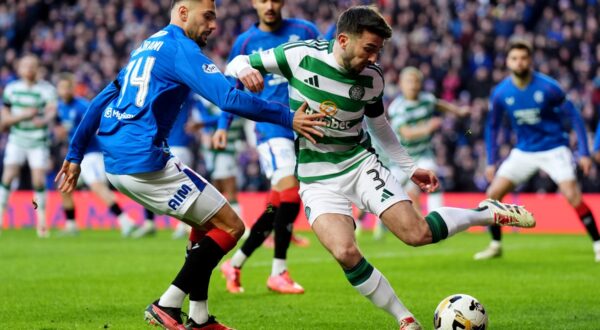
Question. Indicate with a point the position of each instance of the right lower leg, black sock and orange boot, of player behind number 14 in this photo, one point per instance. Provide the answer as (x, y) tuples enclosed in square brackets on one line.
[(280, 279)]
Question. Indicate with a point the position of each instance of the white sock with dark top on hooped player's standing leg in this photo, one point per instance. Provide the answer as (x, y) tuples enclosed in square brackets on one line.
[(369, 282)]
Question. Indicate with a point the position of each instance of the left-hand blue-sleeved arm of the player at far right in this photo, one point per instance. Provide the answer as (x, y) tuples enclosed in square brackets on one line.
[(492, 127)]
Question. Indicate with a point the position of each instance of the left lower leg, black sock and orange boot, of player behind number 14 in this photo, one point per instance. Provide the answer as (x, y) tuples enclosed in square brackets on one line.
[(261, 229)]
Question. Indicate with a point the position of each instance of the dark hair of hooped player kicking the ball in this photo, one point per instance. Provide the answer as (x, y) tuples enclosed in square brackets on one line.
[(359, 18)]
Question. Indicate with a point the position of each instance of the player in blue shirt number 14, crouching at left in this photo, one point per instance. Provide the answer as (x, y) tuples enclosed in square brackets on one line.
[(133, 116)]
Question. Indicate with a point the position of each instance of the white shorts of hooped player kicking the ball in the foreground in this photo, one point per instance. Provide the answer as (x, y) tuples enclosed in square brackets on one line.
[(371, 187)]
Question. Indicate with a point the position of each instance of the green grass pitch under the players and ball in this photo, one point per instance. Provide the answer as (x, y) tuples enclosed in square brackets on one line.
[(99, 280)]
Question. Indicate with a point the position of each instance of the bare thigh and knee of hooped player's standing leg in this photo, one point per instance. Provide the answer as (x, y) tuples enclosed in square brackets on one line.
[(336, 234)]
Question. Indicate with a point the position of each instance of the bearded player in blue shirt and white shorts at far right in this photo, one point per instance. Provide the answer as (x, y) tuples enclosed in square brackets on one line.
[(536, 106)]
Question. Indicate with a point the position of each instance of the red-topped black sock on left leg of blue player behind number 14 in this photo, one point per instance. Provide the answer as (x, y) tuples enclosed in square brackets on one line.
[(262, 227)]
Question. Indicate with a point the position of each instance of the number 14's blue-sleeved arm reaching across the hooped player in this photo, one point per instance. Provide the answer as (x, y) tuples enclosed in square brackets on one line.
[(212, 85)]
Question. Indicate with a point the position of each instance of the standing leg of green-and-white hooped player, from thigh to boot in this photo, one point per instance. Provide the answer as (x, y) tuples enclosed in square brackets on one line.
[(336, 233)]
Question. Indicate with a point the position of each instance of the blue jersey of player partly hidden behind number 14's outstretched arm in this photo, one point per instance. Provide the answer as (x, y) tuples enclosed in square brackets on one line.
[(276, 88)]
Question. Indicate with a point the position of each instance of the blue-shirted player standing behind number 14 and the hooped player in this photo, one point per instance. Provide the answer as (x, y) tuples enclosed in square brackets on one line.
[(275, 148)]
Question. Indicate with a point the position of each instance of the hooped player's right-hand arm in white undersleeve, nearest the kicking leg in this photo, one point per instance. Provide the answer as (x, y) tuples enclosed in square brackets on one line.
[(381, 130)]
